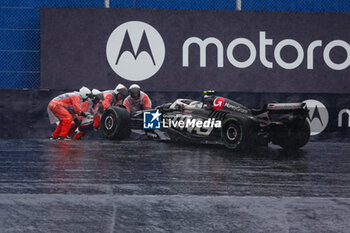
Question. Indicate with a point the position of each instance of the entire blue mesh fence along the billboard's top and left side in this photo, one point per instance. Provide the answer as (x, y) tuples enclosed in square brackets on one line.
[(20, 26)]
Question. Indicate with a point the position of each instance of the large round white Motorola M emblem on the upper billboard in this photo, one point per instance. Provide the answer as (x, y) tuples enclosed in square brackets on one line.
[(135, 51)]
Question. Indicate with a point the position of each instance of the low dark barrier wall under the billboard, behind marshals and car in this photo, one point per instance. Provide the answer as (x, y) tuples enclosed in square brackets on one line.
[(24, 111)]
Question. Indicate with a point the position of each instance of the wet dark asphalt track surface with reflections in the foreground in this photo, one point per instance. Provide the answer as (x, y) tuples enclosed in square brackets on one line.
[(148, 186)]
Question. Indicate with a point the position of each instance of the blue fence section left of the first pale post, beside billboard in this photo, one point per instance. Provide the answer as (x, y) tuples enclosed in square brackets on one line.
[(20, 39)]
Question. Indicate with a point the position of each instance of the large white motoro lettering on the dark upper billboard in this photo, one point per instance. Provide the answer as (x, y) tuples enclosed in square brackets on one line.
[(264, 45)]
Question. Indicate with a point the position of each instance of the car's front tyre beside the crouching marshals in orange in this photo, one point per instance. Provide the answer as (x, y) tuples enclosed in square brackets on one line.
[(115, 123)]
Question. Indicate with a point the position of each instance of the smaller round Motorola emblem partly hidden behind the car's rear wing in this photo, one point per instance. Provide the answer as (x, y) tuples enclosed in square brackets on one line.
[(318, 116)]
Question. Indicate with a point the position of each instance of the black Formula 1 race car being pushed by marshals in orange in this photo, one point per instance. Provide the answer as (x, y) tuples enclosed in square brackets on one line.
[(216, 120)]
